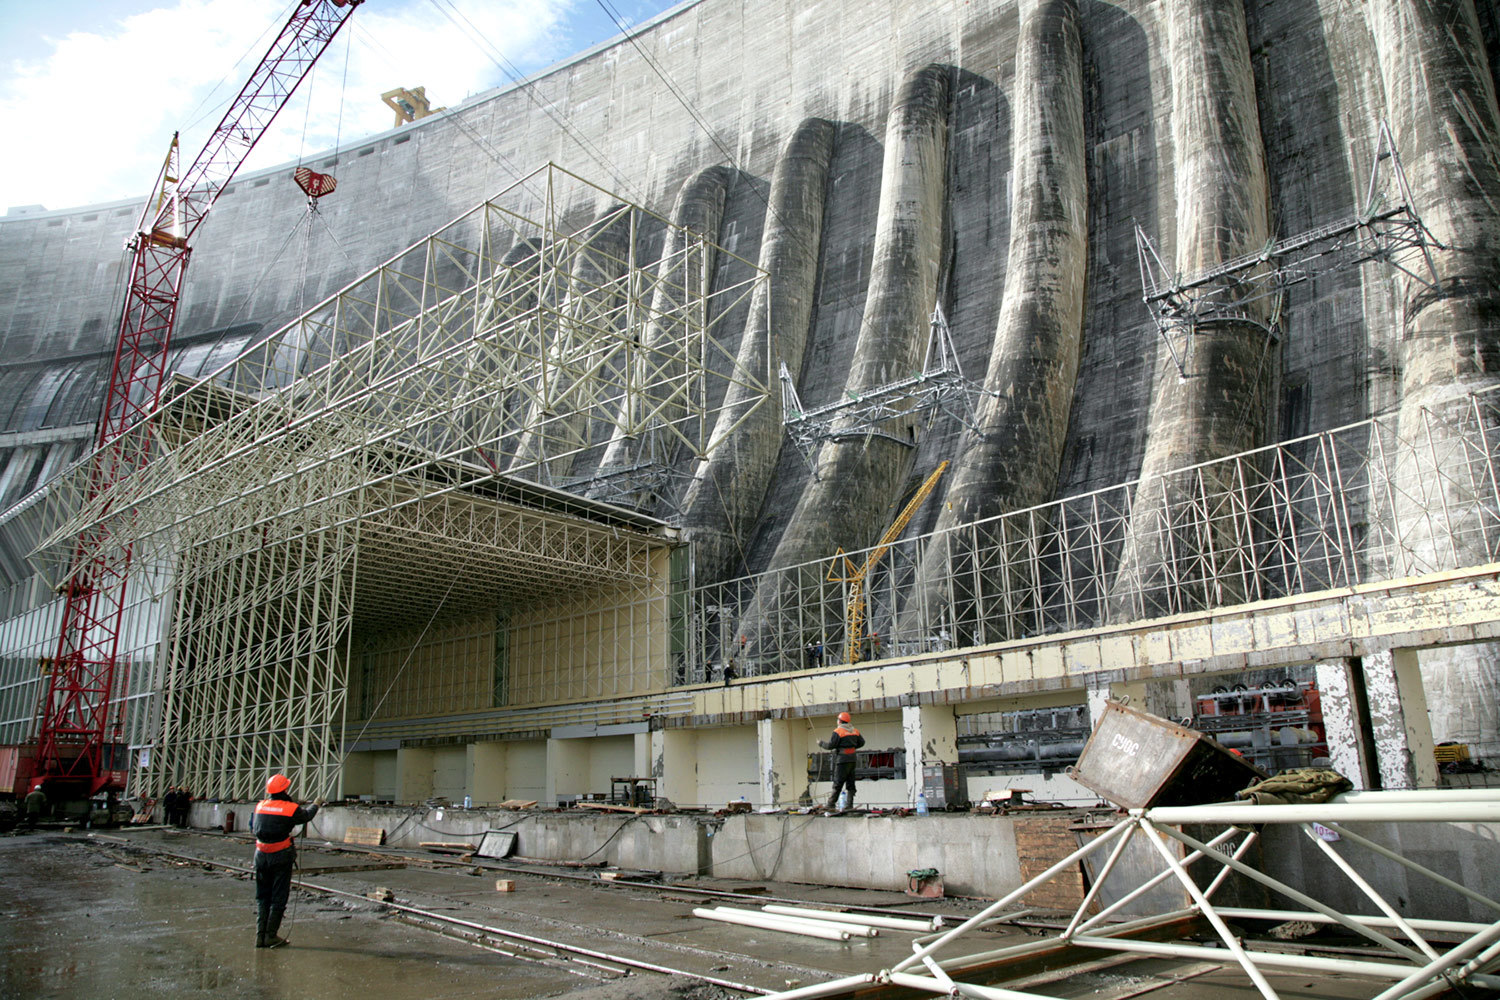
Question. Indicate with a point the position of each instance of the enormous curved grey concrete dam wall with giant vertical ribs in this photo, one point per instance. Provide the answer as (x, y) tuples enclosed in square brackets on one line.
[(1151, 236)]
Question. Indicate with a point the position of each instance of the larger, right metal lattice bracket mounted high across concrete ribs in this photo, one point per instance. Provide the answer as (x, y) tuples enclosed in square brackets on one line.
[(1387, 229)]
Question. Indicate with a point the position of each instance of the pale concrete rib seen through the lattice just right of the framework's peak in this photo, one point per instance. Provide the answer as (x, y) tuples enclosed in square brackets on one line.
[(554, 431)]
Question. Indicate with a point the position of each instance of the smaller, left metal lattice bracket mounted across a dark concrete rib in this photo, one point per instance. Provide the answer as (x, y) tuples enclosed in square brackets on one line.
[(941, 388)]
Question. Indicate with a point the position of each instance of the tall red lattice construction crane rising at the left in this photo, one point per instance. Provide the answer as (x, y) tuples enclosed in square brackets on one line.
[(77, 743)]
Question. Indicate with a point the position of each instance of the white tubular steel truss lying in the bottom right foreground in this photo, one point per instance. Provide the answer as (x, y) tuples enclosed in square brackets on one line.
[(1405, 953)]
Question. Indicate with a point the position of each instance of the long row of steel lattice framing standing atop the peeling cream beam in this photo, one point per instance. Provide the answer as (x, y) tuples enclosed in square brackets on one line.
[(1370, 501)]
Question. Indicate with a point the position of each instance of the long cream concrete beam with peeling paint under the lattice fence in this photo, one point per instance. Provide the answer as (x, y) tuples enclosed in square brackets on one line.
[(1444, 609)]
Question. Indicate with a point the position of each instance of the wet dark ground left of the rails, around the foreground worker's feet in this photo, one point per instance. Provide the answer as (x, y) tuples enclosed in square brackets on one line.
[(77, 924)]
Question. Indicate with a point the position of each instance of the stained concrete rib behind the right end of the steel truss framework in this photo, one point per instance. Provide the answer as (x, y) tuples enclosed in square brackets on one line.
[(683, 274)]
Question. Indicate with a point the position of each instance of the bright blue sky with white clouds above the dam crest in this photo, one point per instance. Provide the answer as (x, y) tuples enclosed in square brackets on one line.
[(92, 91)]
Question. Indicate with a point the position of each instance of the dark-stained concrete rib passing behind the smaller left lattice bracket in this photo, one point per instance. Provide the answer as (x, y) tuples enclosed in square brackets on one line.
[(860, 475)]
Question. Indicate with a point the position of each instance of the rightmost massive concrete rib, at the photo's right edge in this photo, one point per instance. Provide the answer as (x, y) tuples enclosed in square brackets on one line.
[(1442, 109)]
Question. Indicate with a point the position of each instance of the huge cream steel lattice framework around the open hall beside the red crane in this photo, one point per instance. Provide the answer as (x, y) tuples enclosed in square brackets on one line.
[(373, 467)]
